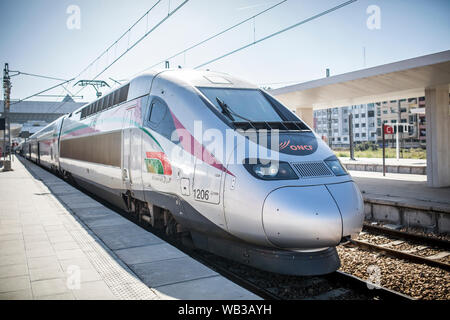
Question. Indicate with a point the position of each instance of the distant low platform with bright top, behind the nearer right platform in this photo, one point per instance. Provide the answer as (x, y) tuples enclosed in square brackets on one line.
[(411, 166)]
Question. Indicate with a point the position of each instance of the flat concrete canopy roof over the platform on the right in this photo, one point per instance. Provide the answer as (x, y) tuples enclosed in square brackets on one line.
[(393, 81)]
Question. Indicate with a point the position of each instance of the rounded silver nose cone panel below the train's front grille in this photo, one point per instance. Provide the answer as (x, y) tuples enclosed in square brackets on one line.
[(302, 218)]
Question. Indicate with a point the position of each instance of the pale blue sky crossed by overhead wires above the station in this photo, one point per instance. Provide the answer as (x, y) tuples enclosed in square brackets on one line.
[(34, 38)]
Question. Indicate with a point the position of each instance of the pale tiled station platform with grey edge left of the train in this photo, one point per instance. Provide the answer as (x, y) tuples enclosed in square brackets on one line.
[(58, 243)]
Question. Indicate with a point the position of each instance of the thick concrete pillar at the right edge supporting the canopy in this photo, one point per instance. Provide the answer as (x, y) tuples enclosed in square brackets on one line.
[(437, 114)]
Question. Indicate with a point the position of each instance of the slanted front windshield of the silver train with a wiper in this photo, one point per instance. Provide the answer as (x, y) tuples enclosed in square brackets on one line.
[(242, 104)]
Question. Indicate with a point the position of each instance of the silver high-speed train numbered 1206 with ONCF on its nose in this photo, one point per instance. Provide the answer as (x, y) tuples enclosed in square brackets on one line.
[(160, 147)]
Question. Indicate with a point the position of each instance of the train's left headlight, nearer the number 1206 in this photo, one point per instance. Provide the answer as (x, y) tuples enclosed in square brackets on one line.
[(273, 170)]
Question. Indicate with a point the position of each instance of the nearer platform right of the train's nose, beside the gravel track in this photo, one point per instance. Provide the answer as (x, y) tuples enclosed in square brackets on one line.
[(404, 200)]
